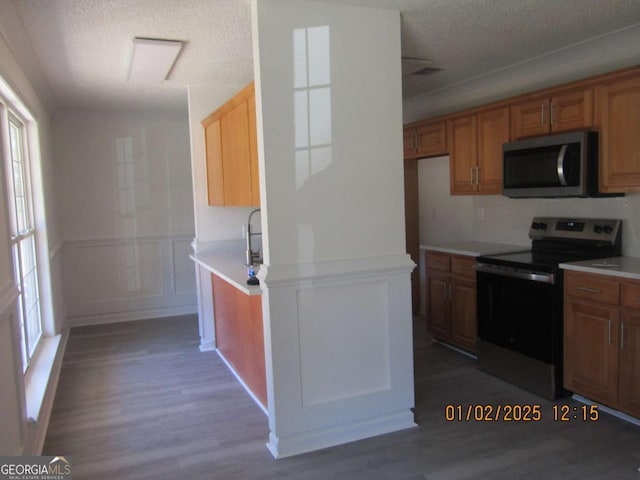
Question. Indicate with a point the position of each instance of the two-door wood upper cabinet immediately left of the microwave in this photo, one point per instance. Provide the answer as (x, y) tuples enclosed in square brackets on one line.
[(475, 150)]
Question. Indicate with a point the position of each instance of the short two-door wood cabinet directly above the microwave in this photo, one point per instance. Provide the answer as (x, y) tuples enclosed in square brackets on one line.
[(554, 112)]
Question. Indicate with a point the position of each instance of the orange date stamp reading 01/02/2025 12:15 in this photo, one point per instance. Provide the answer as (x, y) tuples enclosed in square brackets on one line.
[(520, 413)]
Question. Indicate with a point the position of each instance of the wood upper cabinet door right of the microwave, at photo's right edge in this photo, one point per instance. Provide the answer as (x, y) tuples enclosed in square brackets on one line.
[(618, 118)]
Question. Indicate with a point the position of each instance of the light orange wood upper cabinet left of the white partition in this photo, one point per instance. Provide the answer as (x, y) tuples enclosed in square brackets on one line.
[(231, 152)]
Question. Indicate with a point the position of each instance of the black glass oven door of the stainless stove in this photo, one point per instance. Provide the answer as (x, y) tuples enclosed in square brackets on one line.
[(521, 312)]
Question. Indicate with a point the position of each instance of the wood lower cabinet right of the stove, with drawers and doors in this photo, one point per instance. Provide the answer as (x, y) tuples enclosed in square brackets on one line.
[(602, 339)]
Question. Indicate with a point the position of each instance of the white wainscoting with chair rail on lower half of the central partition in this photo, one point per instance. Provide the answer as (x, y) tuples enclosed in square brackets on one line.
[(338, 345)]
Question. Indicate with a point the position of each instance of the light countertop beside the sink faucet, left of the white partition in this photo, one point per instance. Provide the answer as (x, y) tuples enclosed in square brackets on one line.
[(226, 260)]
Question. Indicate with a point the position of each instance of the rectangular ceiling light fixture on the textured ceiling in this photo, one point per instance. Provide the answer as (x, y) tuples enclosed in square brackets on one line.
[(152, 59)]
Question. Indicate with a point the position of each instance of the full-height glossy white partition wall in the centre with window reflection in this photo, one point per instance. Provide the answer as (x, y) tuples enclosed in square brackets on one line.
[(336, 279)]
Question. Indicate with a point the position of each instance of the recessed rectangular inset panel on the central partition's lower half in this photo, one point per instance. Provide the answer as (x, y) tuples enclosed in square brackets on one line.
[(344, 345)]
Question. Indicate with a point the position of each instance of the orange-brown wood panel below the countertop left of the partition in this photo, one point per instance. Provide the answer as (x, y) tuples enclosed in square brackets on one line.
[(240, 334)]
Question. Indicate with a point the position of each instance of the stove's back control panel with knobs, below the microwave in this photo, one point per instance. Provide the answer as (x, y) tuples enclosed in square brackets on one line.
[(584, 229)]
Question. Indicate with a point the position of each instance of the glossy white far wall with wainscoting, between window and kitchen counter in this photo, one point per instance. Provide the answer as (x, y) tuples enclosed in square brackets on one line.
[(125, 195)]
